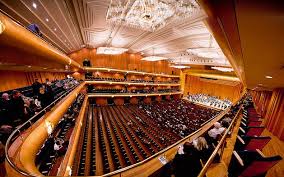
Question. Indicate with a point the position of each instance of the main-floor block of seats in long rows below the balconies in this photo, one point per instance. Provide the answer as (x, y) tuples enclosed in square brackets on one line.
[(125, 135)]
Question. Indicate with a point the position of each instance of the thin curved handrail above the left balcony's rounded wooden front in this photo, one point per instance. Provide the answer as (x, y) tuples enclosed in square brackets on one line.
[(19, 130)]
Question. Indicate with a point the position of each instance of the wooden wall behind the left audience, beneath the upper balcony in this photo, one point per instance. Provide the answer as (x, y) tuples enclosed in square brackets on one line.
[(16, 79)]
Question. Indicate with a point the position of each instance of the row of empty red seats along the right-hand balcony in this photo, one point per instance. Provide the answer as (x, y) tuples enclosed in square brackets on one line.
[(247, 159)]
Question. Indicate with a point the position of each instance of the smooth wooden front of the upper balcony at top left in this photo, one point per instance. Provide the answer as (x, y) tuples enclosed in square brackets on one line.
[(15, 35)]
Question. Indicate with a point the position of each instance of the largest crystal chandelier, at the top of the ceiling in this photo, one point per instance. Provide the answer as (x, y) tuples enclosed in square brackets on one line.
[(149, 15)]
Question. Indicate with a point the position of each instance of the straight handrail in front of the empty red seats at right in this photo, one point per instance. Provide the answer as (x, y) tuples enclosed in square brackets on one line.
[(214, 153)]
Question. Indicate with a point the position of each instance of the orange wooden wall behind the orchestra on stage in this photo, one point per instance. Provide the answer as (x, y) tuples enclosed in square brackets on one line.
[(194, 85)]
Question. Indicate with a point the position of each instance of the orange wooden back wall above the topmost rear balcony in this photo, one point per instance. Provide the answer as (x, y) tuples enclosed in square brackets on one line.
[(124, 61)]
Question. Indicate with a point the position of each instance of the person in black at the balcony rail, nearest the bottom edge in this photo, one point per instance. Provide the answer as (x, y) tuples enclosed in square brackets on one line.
[(186, 163)]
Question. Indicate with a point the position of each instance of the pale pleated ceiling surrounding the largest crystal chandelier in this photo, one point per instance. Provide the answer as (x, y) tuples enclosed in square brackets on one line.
[(73, 24)]
